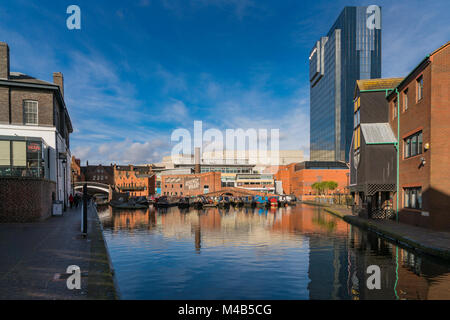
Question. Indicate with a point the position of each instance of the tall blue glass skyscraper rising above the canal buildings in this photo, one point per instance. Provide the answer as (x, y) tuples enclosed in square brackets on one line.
[(350, 51)]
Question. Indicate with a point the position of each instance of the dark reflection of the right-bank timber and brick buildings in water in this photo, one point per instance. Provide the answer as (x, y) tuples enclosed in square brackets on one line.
[(404, 275)]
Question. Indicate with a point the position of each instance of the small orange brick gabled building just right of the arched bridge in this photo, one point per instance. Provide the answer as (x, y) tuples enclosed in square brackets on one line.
[(137, 181)]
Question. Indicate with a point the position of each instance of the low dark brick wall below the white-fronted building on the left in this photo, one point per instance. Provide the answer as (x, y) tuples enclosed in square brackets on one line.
[(25, 199)]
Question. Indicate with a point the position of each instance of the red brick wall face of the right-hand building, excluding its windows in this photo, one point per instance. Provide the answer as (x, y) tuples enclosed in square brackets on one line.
[(431, 115)]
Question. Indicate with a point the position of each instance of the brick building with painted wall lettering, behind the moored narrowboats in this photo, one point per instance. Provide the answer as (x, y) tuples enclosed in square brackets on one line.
[(190, 184)]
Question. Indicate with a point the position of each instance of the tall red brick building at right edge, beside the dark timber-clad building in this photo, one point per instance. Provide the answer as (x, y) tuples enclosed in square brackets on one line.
[(420, 104)]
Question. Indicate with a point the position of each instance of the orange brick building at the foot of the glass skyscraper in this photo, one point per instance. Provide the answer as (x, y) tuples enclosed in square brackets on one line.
[(297, 178)]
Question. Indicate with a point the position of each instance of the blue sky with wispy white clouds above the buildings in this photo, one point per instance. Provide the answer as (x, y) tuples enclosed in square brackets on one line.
[(139, 69)]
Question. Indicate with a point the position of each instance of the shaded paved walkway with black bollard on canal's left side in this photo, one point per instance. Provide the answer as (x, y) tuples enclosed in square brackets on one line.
[(34, 258)]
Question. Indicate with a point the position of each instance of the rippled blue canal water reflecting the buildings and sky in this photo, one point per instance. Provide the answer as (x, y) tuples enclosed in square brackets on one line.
[(298, 252)]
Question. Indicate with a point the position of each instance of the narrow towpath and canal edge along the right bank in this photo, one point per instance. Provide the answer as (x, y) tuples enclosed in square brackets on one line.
[(434, 243)]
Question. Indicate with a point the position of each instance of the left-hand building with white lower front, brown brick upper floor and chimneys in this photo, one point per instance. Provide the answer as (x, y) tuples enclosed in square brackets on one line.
[(34, 128)]
